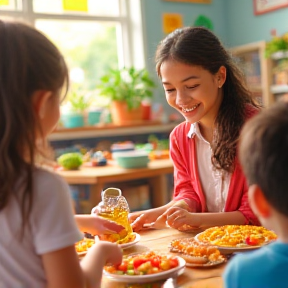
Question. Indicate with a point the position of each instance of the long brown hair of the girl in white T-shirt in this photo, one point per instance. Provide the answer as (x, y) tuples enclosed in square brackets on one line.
[(28, 62)]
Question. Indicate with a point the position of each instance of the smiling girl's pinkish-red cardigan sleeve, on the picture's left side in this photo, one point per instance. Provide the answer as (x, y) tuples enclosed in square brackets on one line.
[(183, 188)]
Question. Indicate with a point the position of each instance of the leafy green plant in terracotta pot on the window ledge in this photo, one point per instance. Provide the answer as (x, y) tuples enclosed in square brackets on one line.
[(126, 88)]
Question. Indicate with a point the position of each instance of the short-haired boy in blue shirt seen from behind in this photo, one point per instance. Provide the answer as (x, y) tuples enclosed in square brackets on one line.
[(264, 157)]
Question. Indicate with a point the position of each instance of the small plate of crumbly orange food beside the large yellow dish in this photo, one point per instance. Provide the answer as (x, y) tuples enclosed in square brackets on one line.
[(196, 254)]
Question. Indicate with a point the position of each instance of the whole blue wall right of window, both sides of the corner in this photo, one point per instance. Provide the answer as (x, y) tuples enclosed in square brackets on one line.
[(234, 23)]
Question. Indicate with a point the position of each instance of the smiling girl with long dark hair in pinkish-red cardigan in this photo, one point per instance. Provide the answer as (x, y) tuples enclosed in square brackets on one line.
[(202, 83)]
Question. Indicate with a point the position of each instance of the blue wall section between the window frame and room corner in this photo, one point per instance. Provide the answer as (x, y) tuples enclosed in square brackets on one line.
[(152, 18)]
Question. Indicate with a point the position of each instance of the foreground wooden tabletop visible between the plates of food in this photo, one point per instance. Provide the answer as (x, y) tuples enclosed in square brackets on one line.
[(158, 240)]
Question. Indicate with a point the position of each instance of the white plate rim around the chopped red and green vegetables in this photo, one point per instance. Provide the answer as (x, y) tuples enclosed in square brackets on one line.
[(174, 272)]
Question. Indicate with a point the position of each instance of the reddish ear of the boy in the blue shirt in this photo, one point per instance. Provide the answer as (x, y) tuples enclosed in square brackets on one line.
[(258, 201)]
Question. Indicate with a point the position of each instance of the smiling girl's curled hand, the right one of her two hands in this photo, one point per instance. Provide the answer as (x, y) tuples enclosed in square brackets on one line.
[(178, 218)]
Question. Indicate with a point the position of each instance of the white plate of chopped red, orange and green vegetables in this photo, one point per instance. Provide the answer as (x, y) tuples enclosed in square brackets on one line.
[(145, 267)]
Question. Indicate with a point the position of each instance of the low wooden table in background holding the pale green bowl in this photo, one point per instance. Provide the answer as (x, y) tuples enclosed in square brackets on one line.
[(97, 177)]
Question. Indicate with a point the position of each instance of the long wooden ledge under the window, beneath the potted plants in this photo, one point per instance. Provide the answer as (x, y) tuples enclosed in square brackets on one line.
[(104, 130)]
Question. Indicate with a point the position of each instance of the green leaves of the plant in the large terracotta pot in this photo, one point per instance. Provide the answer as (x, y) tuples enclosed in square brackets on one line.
[(127, 84)]
